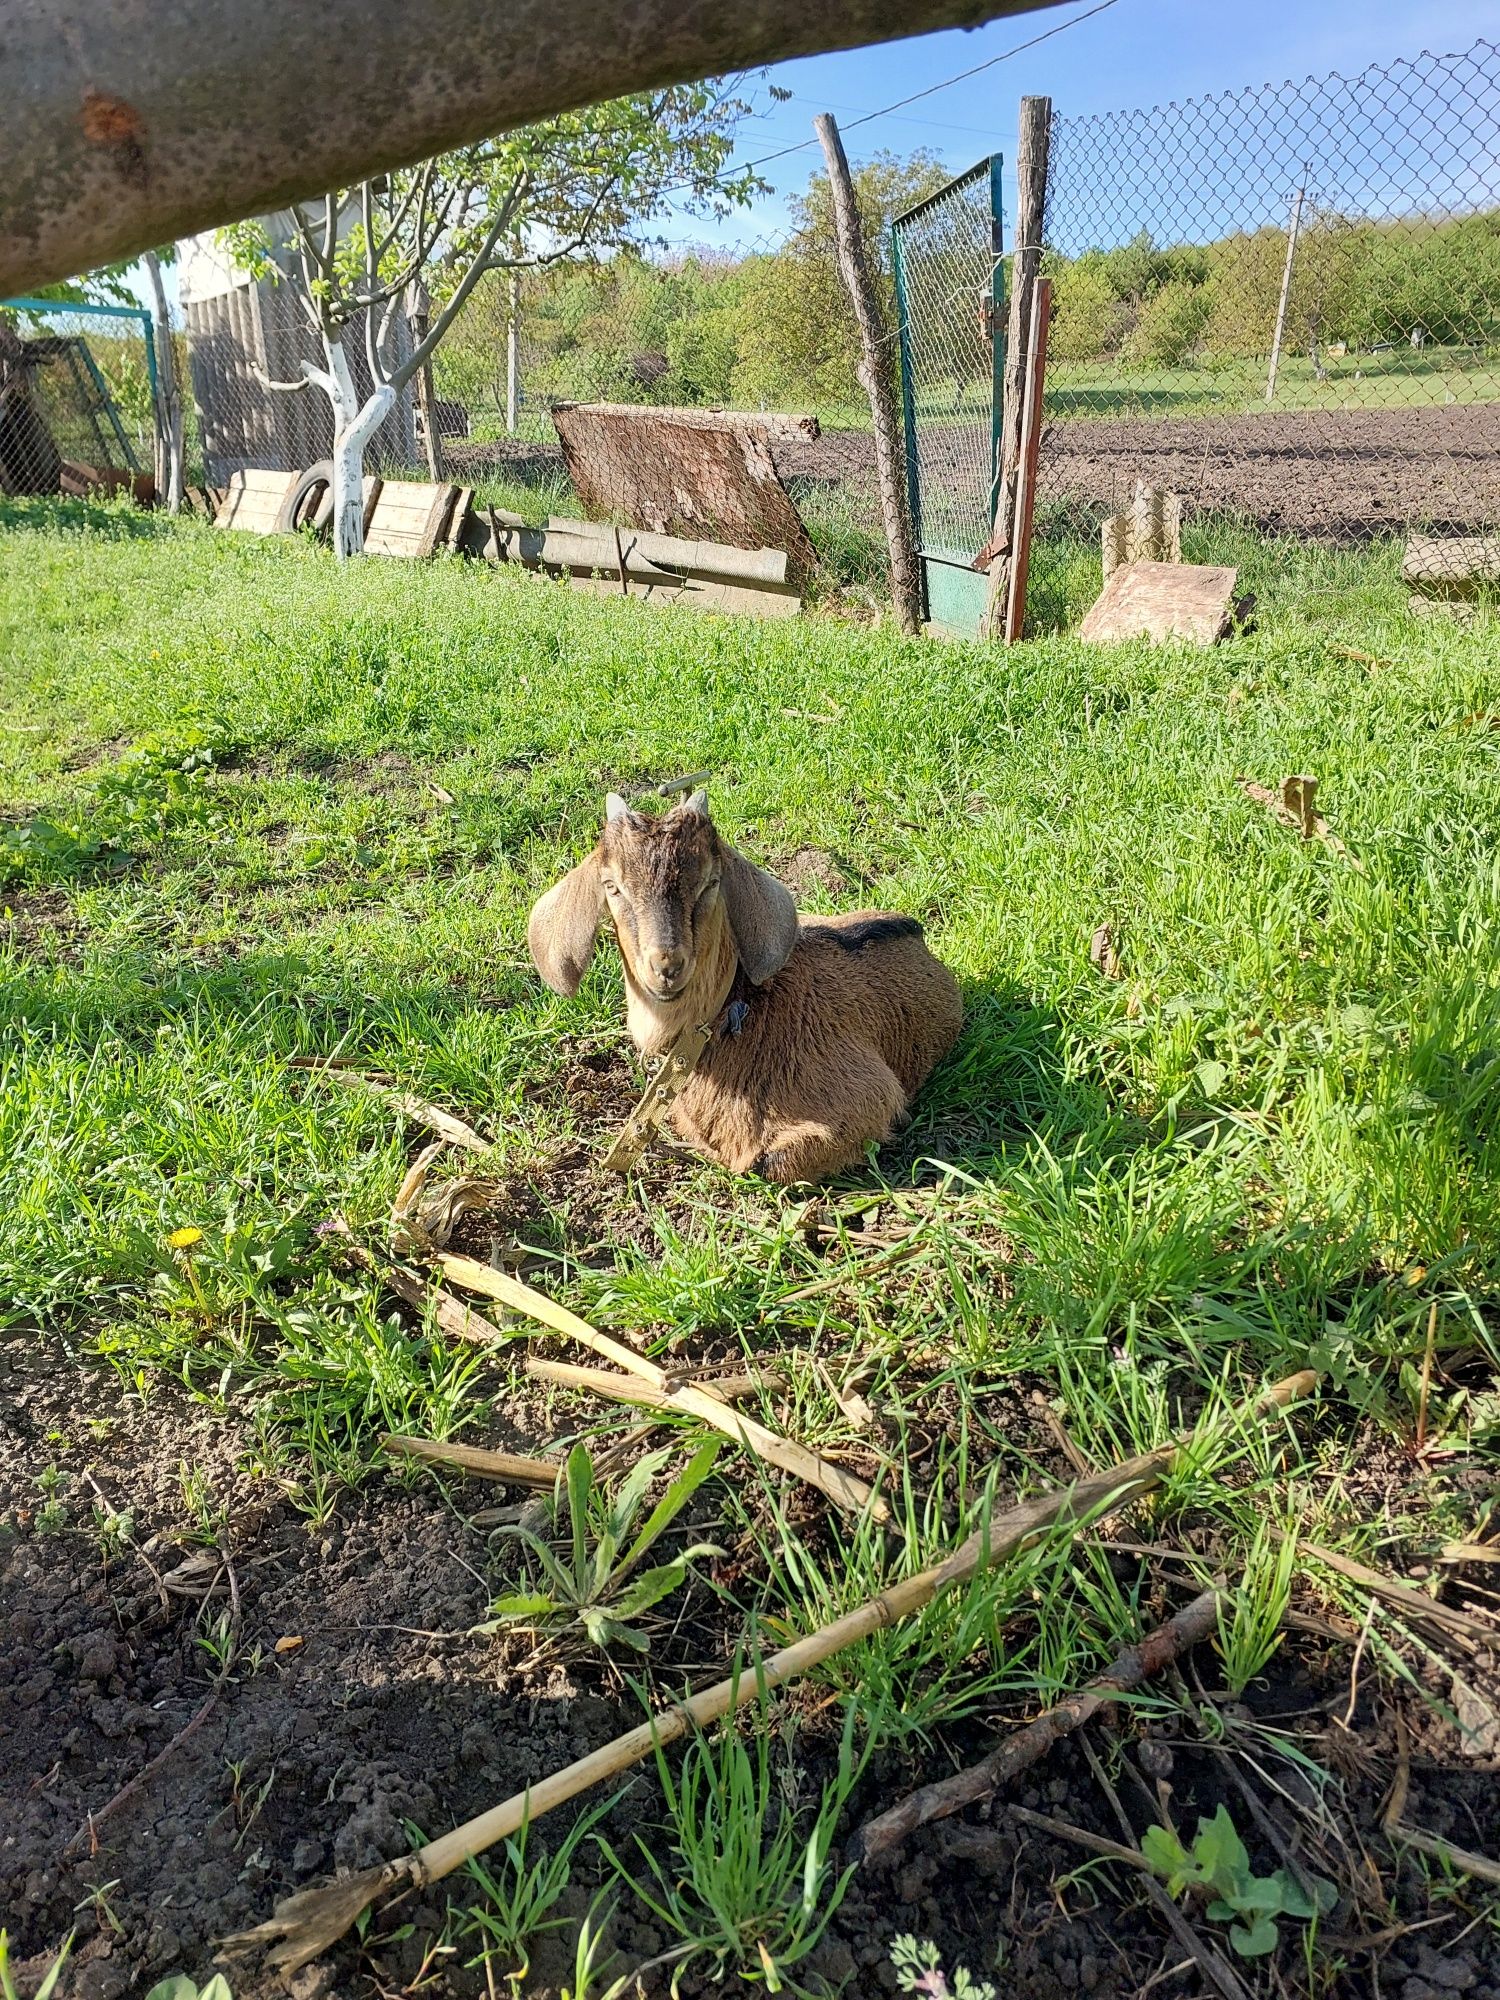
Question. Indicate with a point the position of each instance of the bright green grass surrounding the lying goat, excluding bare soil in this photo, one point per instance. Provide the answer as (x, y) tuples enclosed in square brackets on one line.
[(301, 811)]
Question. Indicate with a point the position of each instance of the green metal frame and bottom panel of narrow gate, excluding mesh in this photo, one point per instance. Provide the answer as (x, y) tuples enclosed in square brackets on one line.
[(953, 589)]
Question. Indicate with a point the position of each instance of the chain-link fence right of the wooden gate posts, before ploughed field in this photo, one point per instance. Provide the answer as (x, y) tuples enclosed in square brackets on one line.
[(1283, 305)]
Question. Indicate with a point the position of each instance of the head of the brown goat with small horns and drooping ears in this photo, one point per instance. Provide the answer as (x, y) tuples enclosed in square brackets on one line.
[(671, 887)]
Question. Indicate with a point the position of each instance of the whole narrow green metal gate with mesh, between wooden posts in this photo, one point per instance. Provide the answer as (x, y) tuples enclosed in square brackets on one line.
[(953, 349)]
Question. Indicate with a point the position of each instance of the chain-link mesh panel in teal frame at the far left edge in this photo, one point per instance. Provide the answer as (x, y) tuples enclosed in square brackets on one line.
[(77, 397)]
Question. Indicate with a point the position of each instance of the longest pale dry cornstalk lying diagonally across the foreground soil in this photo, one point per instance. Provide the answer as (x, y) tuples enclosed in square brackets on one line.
[(315, 1919)]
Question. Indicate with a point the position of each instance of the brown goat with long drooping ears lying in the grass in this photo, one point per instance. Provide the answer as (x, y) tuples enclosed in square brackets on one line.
[(825, 1027)]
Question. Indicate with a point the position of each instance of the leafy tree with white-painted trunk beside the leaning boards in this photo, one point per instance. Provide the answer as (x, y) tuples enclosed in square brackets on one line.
[(529, 199)]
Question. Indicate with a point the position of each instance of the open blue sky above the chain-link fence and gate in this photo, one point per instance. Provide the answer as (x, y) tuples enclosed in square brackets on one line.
[(1135, 55)]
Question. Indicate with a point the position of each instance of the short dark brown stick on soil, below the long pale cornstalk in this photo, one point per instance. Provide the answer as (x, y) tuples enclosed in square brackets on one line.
[(1021, 1751)]
